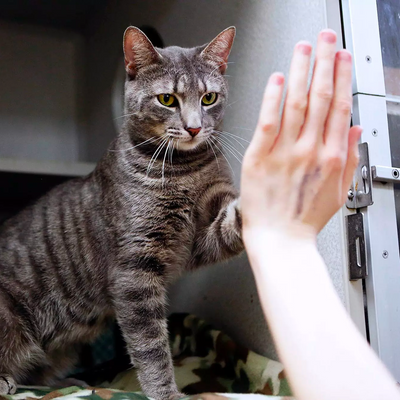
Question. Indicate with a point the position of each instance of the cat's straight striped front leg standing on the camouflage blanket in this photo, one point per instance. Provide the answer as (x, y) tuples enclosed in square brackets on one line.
[(139, 298)]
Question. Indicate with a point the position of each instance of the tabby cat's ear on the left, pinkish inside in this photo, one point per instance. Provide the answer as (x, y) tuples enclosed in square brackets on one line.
[(138, 51)]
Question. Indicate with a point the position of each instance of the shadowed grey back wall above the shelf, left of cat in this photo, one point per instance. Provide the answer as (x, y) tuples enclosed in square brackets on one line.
[(39, 93)]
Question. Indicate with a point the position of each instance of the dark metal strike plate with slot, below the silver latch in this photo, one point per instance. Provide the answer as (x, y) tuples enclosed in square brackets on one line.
[(356, 246)]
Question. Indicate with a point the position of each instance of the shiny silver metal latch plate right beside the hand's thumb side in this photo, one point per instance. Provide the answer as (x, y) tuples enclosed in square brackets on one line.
[(360, 192)]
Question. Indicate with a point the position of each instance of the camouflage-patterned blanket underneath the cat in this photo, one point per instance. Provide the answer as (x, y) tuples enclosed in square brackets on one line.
[(206, 360)]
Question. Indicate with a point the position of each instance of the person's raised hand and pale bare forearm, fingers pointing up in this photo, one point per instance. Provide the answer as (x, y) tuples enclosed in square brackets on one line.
[(295, 176)]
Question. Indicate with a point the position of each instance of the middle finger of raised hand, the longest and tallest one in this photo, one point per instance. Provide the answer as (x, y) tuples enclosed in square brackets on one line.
[(321, 90)]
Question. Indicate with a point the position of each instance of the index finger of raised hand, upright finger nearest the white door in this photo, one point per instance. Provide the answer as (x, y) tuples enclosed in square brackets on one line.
[(337, 126)]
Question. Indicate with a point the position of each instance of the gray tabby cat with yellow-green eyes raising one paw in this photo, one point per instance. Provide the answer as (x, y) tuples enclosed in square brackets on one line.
[(105, 246)]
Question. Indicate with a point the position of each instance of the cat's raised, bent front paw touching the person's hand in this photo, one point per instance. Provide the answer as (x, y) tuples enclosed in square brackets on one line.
[(221, 237)]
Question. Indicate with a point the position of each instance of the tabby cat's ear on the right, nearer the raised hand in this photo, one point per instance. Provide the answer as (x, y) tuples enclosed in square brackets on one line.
[(217, 51)]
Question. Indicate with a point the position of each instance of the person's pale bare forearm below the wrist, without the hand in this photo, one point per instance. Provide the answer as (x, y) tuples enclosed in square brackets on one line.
[(320, 345)]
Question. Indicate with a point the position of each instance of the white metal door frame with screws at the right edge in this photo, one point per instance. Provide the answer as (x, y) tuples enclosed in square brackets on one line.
[(382, 285)]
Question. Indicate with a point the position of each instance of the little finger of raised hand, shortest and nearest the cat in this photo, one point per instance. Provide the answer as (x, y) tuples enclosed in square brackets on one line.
[(269, 120)]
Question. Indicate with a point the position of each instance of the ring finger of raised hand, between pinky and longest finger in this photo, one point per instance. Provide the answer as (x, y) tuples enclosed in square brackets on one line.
[(297, 94)]
